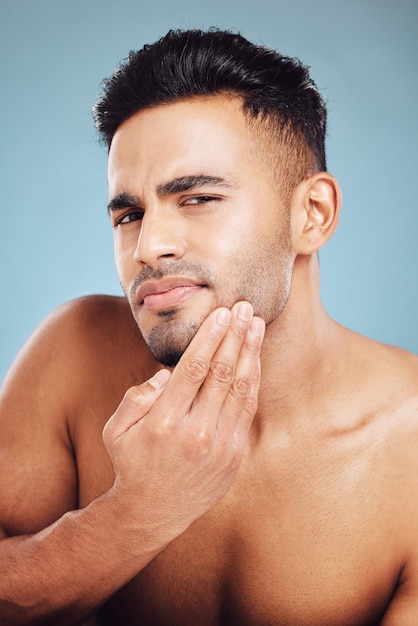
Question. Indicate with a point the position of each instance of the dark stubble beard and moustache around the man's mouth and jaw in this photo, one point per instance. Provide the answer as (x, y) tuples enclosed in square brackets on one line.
[(262, 278)]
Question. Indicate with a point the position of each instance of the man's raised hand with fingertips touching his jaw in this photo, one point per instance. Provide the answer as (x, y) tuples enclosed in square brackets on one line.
[(176, 441)]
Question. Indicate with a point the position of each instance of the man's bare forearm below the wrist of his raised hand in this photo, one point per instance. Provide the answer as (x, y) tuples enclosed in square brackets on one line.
[(65, 572)]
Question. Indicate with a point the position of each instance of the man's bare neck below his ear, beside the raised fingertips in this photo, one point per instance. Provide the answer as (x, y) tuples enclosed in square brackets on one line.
[(299, 353)]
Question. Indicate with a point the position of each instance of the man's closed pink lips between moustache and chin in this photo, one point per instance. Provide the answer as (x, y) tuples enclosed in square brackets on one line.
[(167, 292)]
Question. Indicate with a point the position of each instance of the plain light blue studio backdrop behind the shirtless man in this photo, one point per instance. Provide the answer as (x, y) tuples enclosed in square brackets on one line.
[(56, 241)]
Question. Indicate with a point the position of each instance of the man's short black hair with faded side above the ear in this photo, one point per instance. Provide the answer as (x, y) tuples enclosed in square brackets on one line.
[(188, 63)]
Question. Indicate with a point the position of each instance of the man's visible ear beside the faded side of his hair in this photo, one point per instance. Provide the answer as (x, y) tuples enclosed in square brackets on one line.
[(315, 210)]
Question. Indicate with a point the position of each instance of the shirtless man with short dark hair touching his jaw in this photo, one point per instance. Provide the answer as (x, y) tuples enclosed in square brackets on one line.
[(238, 481)]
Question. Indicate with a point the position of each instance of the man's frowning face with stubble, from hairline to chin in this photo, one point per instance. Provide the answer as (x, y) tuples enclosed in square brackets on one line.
[(198, 220)]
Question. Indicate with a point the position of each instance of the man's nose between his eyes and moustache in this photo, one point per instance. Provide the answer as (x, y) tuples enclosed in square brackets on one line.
[(159, 238)]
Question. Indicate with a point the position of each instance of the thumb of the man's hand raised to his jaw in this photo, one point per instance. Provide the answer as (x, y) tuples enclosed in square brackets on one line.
[(135, 405)]
